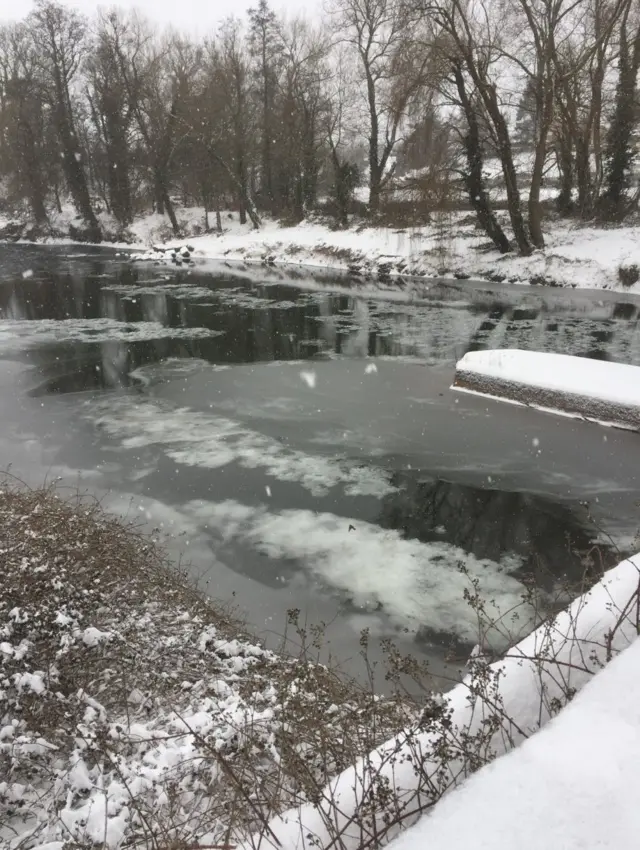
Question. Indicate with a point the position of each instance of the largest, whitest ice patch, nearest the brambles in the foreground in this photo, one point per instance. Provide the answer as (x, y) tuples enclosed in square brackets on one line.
[(417, 584)]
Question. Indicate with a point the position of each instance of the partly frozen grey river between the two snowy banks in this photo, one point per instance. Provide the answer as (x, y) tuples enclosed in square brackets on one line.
[(297, 439)]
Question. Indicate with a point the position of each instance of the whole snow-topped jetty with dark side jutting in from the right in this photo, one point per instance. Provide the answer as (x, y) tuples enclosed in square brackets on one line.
[(596, 389)]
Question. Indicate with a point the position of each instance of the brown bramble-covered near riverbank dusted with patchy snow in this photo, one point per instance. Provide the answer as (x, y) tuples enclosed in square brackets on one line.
[(134, 710)]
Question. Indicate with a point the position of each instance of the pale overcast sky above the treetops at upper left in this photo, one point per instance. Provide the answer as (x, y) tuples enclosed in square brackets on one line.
[(194, 16)]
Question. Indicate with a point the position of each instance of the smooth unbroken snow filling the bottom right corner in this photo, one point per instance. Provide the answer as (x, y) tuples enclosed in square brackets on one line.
[(571, 786)]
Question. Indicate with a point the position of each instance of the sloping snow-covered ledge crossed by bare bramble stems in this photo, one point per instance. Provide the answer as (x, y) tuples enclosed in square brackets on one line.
[(495, 709)]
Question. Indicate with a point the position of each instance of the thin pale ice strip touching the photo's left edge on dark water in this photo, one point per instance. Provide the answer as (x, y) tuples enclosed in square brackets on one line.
[(27, 332)]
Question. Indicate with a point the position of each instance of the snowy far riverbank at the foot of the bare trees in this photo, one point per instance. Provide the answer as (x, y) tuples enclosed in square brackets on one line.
[(579, 257)]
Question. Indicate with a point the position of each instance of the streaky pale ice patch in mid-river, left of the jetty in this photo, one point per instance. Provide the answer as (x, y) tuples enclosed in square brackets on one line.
[(209, 441)]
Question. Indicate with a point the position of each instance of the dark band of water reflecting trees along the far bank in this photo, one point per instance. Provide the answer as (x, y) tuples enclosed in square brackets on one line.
[(256, 321)]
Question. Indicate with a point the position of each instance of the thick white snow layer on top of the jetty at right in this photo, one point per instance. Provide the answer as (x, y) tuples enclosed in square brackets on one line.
[(615, 383)]
